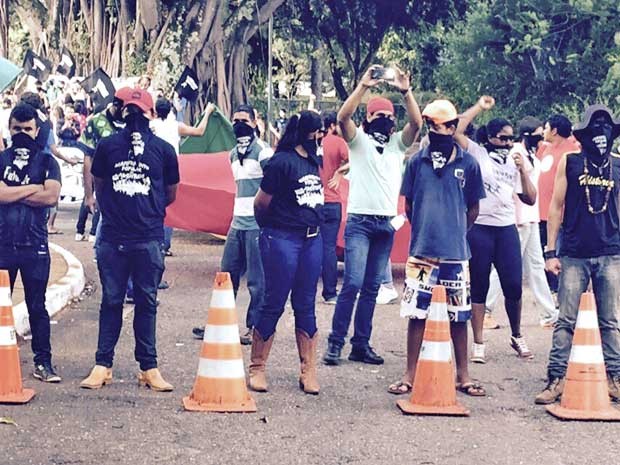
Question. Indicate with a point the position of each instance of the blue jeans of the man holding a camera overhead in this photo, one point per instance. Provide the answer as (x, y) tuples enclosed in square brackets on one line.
[(368, 243)]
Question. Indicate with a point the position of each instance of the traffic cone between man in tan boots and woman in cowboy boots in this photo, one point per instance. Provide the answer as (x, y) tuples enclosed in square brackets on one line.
[(220, 384)]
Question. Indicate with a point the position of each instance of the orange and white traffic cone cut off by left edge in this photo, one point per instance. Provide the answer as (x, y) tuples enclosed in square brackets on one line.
[(11, 389)]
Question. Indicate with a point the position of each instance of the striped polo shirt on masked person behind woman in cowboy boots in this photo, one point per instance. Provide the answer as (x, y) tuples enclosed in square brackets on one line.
[(248, 177)]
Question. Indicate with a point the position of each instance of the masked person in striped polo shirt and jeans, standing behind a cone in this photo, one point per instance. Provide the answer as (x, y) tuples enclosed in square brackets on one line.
[(241, 251)]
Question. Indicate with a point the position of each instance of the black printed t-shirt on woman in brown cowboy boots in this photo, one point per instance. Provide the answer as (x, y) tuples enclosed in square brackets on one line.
[(297, 192)]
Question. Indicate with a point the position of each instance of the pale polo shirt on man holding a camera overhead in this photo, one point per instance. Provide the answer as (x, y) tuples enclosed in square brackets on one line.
[(375, 178)]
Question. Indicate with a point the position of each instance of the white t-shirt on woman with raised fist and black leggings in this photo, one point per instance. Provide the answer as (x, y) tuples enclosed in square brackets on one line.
[(501, 182)]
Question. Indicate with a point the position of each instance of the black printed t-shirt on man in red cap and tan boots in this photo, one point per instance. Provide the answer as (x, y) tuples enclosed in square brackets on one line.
[(136, 168)]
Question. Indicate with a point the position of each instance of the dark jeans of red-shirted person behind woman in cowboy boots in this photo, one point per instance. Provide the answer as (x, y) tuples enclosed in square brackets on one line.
[(332, 216)]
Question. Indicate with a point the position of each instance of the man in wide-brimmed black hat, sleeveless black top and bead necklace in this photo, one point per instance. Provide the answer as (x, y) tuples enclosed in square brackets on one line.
[(585, 203)]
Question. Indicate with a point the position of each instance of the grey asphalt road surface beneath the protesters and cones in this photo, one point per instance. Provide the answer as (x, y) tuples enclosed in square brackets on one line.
[(354, 420)]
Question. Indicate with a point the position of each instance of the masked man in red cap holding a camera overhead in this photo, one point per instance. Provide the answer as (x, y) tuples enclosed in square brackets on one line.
[(376, 160)]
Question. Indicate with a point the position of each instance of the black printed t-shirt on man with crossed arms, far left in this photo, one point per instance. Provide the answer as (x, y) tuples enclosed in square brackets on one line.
[(21, 224)]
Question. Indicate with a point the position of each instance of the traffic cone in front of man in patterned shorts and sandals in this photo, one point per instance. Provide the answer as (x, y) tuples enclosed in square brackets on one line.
[(434, 392)]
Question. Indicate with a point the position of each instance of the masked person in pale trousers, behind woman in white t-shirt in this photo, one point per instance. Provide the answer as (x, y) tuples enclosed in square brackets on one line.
[(528, 218)]
